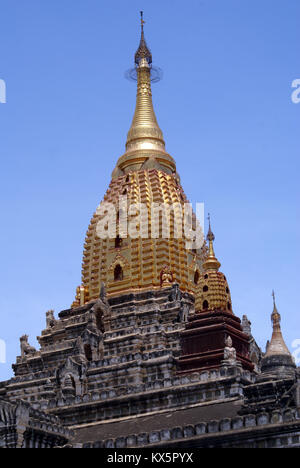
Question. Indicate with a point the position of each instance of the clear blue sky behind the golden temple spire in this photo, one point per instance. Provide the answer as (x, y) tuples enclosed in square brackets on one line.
[(224, 106)]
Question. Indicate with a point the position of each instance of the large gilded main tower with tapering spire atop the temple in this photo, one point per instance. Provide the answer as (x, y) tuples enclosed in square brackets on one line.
[(144, 174)]
